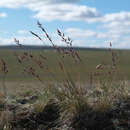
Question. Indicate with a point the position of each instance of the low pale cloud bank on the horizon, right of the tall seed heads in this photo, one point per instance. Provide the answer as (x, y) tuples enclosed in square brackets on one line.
[(92, 38)]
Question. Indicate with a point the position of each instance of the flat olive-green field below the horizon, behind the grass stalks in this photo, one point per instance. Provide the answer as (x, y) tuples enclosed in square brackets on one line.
[(77, 70)]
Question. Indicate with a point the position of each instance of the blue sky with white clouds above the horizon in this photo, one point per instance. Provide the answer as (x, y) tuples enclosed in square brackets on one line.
[(89, 23)]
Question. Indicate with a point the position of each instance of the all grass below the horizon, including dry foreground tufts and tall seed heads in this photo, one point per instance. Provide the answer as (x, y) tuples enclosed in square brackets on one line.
[(64, 100)]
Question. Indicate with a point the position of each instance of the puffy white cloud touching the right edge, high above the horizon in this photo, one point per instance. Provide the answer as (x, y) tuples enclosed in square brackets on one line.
[(117, 23)]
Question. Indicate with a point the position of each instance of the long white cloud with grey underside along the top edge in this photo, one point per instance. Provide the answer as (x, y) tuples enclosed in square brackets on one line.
[(66, 10)]
